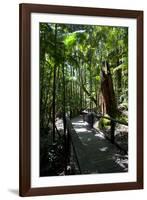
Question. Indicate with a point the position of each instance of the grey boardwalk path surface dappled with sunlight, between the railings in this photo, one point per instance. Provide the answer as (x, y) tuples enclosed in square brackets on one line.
[(95, 153)]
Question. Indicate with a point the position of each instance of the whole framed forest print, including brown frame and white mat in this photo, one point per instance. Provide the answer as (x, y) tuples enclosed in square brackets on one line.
[(81, 99)]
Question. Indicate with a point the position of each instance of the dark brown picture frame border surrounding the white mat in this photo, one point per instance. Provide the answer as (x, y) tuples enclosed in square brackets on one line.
[(25, 96)]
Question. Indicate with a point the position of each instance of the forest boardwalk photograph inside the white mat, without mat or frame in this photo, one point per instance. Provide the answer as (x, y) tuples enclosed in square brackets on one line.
[(83, 99)]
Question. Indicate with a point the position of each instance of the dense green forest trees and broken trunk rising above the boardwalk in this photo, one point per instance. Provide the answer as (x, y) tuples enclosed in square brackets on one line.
[(82, 67)]
